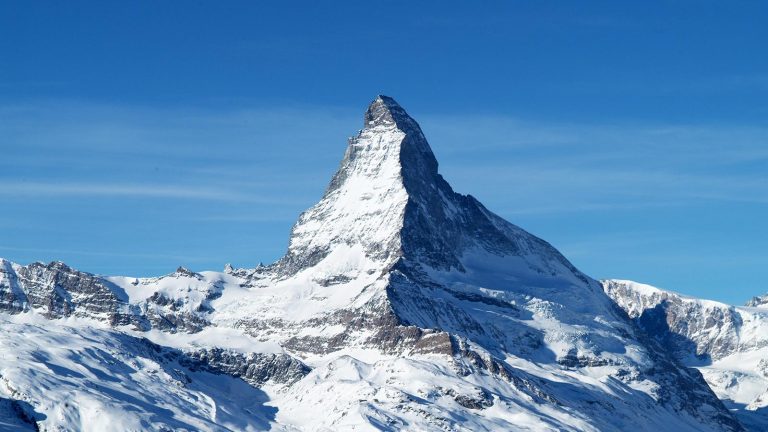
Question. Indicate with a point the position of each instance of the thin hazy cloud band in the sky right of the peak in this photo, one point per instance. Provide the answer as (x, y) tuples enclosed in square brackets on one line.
[(524, 167)]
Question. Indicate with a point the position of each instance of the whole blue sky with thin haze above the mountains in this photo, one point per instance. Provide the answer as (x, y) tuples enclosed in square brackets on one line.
[(139, 136)]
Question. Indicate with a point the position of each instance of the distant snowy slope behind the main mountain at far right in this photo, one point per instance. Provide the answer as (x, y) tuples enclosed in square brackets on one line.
[(728, 344)]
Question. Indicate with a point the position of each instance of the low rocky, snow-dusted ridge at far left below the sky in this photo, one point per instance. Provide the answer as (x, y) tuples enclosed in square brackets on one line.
[(58, 291)]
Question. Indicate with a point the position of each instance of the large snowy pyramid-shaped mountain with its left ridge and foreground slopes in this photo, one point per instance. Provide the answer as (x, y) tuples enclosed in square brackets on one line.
[(400, 304)]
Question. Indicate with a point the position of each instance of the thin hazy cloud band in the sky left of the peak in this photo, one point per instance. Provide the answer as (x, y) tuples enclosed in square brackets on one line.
[(249, 156)]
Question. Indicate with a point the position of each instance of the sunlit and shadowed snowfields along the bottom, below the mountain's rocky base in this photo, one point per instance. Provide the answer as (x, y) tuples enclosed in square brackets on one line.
[(79, 375)]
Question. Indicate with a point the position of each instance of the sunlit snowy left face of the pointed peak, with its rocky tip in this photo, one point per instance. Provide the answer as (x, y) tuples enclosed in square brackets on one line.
[(365, 200)]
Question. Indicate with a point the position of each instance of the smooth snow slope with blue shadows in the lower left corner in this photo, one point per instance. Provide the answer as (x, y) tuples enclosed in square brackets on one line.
[(76, 376)]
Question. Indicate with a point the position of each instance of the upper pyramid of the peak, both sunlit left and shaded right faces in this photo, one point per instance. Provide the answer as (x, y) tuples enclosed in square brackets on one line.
[(388, 204)]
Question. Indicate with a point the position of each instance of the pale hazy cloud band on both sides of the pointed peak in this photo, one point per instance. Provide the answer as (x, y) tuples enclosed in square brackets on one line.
[(286, 155)]
